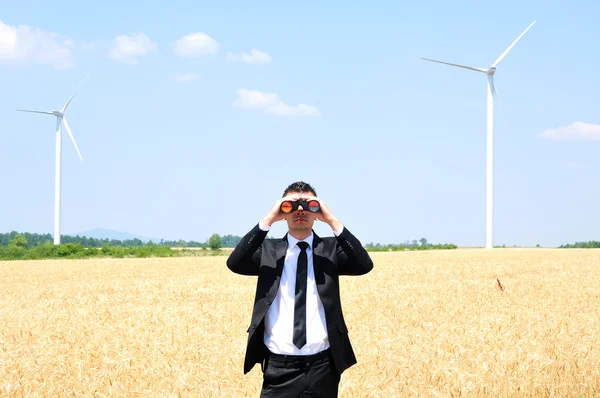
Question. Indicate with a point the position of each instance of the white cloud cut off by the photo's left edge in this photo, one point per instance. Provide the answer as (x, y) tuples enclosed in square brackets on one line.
[(26, 44)]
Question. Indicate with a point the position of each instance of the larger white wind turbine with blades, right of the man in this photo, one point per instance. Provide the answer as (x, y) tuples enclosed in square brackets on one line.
[(491, 93)]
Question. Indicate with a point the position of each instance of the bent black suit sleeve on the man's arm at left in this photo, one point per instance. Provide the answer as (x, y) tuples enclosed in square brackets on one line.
[(245, 257)]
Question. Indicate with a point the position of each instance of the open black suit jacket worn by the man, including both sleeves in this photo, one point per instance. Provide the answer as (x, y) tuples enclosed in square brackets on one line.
[(332, 257)]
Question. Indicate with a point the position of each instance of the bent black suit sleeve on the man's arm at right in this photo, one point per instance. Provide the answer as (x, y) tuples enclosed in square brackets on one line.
[(353, 259)]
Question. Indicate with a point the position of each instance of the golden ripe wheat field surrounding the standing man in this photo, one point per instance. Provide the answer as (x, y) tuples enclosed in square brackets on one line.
[(467, 322)]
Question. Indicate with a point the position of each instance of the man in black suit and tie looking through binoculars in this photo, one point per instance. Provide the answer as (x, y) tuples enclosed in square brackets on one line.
[(297, 332)]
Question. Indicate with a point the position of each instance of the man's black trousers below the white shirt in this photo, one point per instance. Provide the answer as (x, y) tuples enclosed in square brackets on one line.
[(299, 376)]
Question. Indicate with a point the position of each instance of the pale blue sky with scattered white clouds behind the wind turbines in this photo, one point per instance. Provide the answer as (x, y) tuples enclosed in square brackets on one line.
[(186, 131)]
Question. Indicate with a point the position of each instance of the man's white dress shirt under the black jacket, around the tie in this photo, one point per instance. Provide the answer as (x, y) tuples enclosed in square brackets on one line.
[(279, 320)]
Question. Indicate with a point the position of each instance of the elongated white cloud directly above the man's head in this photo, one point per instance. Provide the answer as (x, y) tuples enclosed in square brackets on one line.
[(271, 104)]
